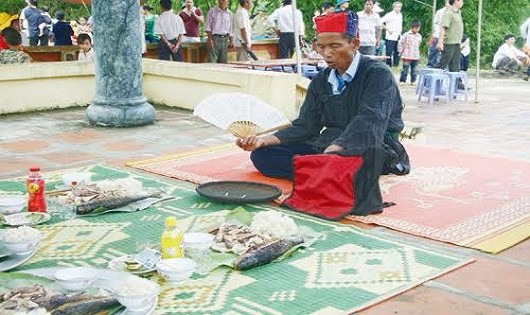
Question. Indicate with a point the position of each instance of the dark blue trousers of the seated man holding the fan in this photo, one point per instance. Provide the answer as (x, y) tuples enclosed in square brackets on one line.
[(277, 161)]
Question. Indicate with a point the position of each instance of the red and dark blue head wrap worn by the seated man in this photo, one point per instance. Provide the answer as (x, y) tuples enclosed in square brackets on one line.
[(338, 22)]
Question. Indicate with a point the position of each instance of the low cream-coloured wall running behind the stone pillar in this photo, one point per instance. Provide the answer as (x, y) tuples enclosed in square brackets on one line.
[(44, 86)]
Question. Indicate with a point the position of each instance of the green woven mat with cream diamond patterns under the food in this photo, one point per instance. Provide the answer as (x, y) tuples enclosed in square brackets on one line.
[(349, 269)]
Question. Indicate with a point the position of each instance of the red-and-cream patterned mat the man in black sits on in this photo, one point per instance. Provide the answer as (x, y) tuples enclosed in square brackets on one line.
[(466, 199)]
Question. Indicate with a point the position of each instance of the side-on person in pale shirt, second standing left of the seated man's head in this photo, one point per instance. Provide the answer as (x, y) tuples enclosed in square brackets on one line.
[(242, 30)]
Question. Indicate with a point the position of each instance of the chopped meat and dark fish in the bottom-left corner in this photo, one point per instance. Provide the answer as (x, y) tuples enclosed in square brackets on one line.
[(39, 300)]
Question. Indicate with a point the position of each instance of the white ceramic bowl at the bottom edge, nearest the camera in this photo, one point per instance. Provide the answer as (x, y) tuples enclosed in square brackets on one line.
[(139, 295)]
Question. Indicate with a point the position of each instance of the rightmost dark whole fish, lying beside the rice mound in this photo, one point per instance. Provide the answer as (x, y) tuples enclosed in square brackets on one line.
[(264, 254)]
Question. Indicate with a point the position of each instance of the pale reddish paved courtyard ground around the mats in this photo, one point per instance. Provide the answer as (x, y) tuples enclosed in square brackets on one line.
[(499, 125)]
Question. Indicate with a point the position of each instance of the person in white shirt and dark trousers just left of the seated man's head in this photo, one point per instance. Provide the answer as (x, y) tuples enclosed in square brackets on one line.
[(284, 25)]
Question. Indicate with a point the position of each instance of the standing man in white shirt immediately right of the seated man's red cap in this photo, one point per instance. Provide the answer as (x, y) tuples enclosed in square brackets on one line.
[(369, 28)]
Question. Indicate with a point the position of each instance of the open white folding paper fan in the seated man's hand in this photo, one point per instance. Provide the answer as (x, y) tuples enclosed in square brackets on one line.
[(240, 114)]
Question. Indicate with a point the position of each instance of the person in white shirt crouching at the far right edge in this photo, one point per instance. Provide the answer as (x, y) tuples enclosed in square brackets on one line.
[(508, 58)]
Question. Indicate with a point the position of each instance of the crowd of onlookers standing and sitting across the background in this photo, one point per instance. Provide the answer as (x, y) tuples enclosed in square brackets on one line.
[(170, 23)]
